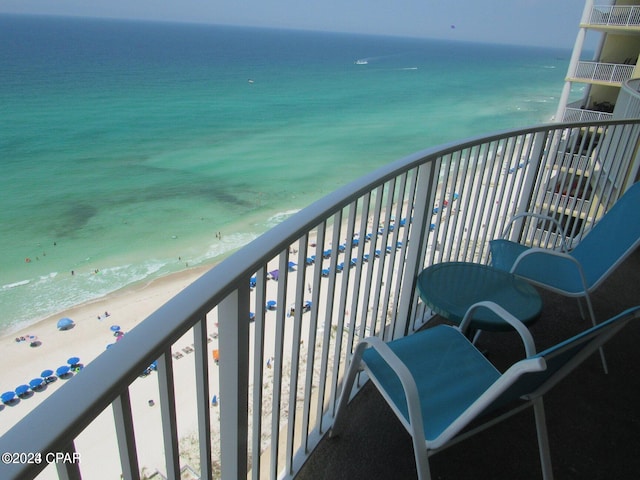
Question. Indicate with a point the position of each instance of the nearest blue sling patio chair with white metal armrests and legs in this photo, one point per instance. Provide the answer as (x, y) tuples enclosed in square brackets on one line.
[(437, 382)]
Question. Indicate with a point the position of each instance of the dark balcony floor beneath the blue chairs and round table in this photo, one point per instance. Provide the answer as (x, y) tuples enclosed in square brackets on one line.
[(593, 419)]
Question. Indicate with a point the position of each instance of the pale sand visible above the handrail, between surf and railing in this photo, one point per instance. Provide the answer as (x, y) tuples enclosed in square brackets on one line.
[(89, 337)]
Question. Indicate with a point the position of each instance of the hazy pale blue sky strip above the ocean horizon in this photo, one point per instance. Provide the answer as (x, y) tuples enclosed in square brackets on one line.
[(528, 22)]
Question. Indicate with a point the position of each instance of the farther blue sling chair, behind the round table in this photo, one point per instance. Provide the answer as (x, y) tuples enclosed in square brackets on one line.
[(576, 273)]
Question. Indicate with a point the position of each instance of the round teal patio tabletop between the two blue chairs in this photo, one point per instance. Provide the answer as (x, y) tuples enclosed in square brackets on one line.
[(450, 288)]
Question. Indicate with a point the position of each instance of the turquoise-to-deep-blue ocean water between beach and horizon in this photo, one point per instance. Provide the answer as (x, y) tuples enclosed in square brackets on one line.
[(125, 147)]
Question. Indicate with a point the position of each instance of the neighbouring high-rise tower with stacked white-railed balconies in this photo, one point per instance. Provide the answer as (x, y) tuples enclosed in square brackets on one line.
[(600, 85)]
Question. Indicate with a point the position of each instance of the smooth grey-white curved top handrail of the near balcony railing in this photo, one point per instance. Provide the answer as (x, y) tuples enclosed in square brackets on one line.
[(105, 378)]
